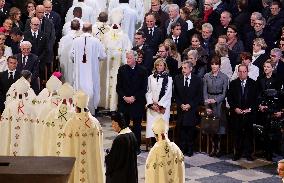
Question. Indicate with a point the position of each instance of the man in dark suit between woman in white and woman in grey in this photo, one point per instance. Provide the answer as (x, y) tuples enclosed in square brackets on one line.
[(188, 95)]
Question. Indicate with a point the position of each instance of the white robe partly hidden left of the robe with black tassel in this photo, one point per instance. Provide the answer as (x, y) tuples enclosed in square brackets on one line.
[(66, 64)]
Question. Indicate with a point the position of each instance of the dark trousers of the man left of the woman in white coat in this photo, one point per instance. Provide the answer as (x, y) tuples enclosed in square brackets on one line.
[(136, 128)]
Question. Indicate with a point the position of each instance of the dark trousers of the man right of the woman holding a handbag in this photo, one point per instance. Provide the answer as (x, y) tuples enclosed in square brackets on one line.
[(243, 134)]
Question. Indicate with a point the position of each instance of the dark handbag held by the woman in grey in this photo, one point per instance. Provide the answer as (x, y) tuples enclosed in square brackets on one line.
[(209, 124)]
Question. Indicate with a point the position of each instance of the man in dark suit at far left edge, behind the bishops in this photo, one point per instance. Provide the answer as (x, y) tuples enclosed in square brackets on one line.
[(7, 78)]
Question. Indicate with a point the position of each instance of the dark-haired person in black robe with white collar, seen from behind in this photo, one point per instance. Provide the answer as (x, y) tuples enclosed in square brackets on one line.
[(121, 160)]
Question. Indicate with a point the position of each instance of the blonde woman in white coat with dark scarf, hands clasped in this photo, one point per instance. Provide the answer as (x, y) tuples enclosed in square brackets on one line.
[(159, 95)]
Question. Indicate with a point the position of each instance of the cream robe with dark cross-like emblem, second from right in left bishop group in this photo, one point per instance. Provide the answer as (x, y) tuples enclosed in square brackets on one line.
[(52, 131)]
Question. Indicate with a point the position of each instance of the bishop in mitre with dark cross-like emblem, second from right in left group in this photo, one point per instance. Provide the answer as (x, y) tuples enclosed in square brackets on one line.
[(55, 122)]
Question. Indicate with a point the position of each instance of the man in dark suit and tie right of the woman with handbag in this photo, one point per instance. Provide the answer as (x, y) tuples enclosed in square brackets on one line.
[(242, 95)]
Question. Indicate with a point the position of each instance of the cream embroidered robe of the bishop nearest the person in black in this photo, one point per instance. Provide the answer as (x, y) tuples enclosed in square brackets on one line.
[(84, 140)]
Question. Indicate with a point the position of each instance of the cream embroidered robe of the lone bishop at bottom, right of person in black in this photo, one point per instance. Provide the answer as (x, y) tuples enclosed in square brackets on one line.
[(165, 163)]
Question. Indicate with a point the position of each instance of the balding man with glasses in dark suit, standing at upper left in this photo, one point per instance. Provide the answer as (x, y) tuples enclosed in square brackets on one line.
[(39, 43)]
